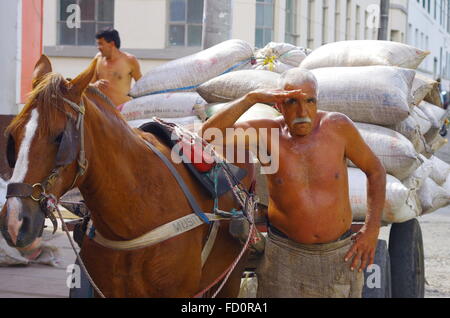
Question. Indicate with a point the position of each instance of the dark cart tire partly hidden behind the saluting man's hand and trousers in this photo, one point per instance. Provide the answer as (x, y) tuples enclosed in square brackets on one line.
[(382, 272)]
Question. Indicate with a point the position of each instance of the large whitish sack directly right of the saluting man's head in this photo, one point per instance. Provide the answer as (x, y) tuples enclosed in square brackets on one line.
[(373, 94)]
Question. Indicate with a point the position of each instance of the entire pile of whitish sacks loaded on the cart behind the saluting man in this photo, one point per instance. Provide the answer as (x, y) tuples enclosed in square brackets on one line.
[(397, 112)]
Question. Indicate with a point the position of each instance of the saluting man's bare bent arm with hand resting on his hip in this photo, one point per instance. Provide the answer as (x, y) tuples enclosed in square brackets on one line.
[(363, 249)]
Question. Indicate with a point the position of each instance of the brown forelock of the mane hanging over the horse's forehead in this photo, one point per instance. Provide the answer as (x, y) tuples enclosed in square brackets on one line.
[(49, 91)]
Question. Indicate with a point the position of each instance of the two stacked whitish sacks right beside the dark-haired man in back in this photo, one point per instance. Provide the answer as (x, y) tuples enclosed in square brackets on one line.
[(168, 91)]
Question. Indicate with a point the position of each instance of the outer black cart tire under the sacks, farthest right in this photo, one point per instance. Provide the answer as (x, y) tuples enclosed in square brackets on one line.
[(407, 260)]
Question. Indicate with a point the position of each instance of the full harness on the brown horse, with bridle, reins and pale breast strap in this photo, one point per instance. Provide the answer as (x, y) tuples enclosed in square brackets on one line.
[(72, 146)]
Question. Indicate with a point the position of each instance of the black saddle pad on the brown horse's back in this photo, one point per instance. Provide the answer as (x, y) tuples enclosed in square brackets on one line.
[(204, 178)]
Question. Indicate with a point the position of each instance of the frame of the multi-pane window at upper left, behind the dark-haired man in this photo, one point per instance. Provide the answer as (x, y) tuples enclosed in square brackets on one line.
[(60, 22)]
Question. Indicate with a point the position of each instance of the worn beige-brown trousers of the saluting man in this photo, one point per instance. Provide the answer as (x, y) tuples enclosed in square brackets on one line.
[(292, 270)]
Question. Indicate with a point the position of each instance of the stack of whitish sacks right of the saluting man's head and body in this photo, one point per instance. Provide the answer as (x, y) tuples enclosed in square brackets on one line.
[(398, 115)]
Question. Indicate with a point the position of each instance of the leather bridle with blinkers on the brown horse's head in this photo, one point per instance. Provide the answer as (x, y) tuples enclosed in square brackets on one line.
[(71, 146)]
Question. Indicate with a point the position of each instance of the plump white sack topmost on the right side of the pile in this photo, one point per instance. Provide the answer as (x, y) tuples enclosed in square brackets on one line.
[(364, 53)]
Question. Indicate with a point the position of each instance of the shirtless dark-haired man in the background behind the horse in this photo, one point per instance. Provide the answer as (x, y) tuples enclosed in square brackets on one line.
[(115, 68)]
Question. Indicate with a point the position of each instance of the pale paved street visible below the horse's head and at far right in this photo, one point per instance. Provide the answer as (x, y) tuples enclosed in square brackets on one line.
[(45, 281)]
